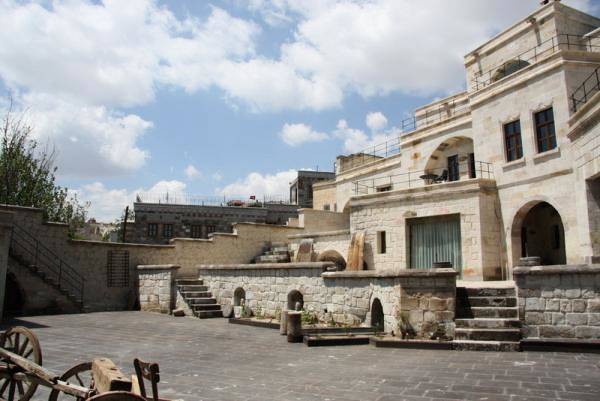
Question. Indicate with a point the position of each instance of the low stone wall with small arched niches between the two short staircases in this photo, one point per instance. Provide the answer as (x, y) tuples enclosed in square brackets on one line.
[(419, 299)]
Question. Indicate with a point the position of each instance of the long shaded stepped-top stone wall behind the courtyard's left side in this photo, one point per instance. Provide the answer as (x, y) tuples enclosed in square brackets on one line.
[(90, 258)]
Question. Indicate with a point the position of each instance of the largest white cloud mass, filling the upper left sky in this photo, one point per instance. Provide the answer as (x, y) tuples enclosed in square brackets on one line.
[(76, 64)]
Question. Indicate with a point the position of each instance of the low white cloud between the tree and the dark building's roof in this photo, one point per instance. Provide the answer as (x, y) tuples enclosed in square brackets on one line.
[(107, 204)]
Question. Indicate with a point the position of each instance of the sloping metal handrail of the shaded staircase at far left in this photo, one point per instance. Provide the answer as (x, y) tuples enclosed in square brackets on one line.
[(32, 251)]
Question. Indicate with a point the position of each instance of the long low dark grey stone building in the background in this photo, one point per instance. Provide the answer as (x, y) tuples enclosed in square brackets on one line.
[(157, 223)]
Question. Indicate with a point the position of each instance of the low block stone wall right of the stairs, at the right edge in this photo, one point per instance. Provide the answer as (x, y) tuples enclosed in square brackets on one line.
[(559, 301)]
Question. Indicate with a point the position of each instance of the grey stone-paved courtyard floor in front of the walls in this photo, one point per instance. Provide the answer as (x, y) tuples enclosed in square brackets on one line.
[(214, 360)]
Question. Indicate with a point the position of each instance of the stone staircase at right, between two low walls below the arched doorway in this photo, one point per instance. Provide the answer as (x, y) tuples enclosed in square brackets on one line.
[(487, 319)]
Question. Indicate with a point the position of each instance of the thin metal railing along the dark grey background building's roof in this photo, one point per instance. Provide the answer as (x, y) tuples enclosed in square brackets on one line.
[(199, 200)]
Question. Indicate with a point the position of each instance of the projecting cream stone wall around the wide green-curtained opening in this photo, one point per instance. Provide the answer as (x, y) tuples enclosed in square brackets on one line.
[(473, 201)]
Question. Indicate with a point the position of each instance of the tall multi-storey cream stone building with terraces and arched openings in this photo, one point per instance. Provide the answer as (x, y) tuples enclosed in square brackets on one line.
[(506, 169)]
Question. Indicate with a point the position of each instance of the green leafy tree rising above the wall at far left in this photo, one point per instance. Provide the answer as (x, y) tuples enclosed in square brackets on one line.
[(27, 176)]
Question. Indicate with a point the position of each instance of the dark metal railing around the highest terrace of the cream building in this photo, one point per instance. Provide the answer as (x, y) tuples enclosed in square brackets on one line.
[(563, 41)]
